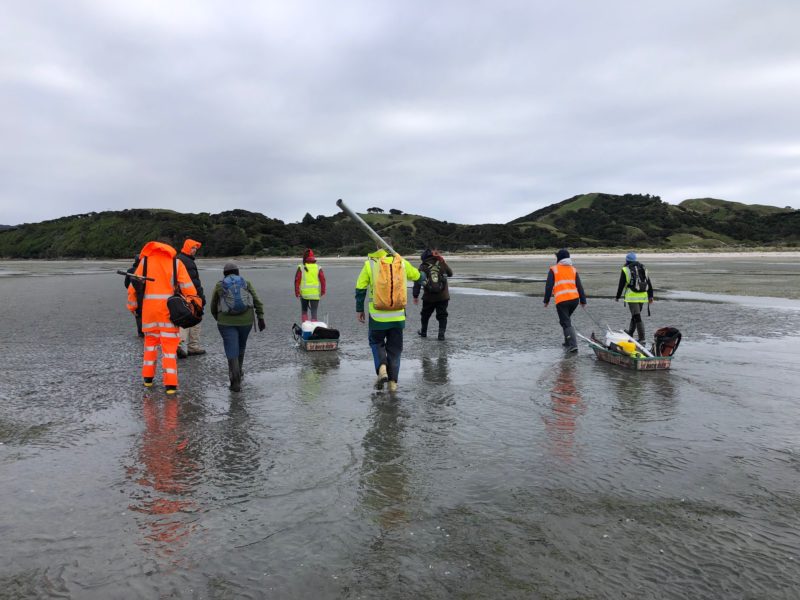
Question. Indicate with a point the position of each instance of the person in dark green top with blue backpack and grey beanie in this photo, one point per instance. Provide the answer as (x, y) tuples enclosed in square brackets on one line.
[(232, 305)]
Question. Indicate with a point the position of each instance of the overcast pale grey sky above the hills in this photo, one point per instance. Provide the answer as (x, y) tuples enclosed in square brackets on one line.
[(472, 112)]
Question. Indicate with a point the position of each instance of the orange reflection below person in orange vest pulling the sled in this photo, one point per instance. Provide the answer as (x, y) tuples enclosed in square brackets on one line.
[(566, 405)]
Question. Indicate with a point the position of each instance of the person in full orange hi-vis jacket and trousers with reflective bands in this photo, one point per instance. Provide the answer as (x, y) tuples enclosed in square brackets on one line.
[(158, 262)]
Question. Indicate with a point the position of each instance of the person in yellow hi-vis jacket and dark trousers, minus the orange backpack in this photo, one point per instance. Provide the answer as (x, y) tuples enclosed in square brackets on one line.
[(385, 326)]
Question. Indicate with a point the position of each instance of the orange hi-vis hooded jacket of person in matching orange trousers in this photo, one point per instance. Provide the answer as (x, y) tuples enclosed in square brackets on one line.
[(155, 315)]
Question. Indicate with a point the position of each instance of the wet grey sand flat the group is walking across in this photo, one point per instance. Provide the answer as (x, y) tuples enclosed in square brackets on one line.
[(502, 468)]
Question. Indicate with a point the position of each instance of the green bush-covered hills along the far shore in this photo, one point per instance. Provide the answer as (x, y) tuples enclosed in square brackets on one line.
[(584, 221)]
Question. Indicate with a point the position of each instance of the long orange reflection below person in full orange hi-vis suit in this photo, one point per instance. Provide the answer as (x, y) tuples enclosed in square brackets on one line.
[(165, 474)]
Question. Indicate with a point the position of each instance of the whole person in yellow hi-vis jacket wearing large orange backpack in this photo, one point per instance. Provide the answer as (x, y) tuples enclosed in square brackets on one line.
[(384, 276)]
